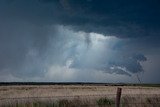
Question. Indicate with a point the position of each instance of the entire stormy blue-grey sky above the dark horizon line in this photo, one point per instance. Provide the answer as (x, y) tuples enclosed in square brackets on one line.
[(112, 41)]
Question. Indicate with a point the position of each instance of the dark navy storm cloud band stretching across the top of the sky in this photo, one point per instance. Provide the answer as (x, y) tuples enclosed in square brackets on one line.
[(135, 18)]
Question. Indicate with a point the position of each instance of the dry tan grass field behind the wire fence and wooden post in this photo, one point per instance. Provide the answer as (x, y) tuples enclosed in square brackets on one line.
[(77, 96)]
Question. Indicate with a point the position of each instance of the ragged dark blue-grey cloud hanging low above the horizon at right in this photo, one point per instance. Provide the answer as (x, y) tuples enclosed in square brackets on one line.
[(120, 64)]
